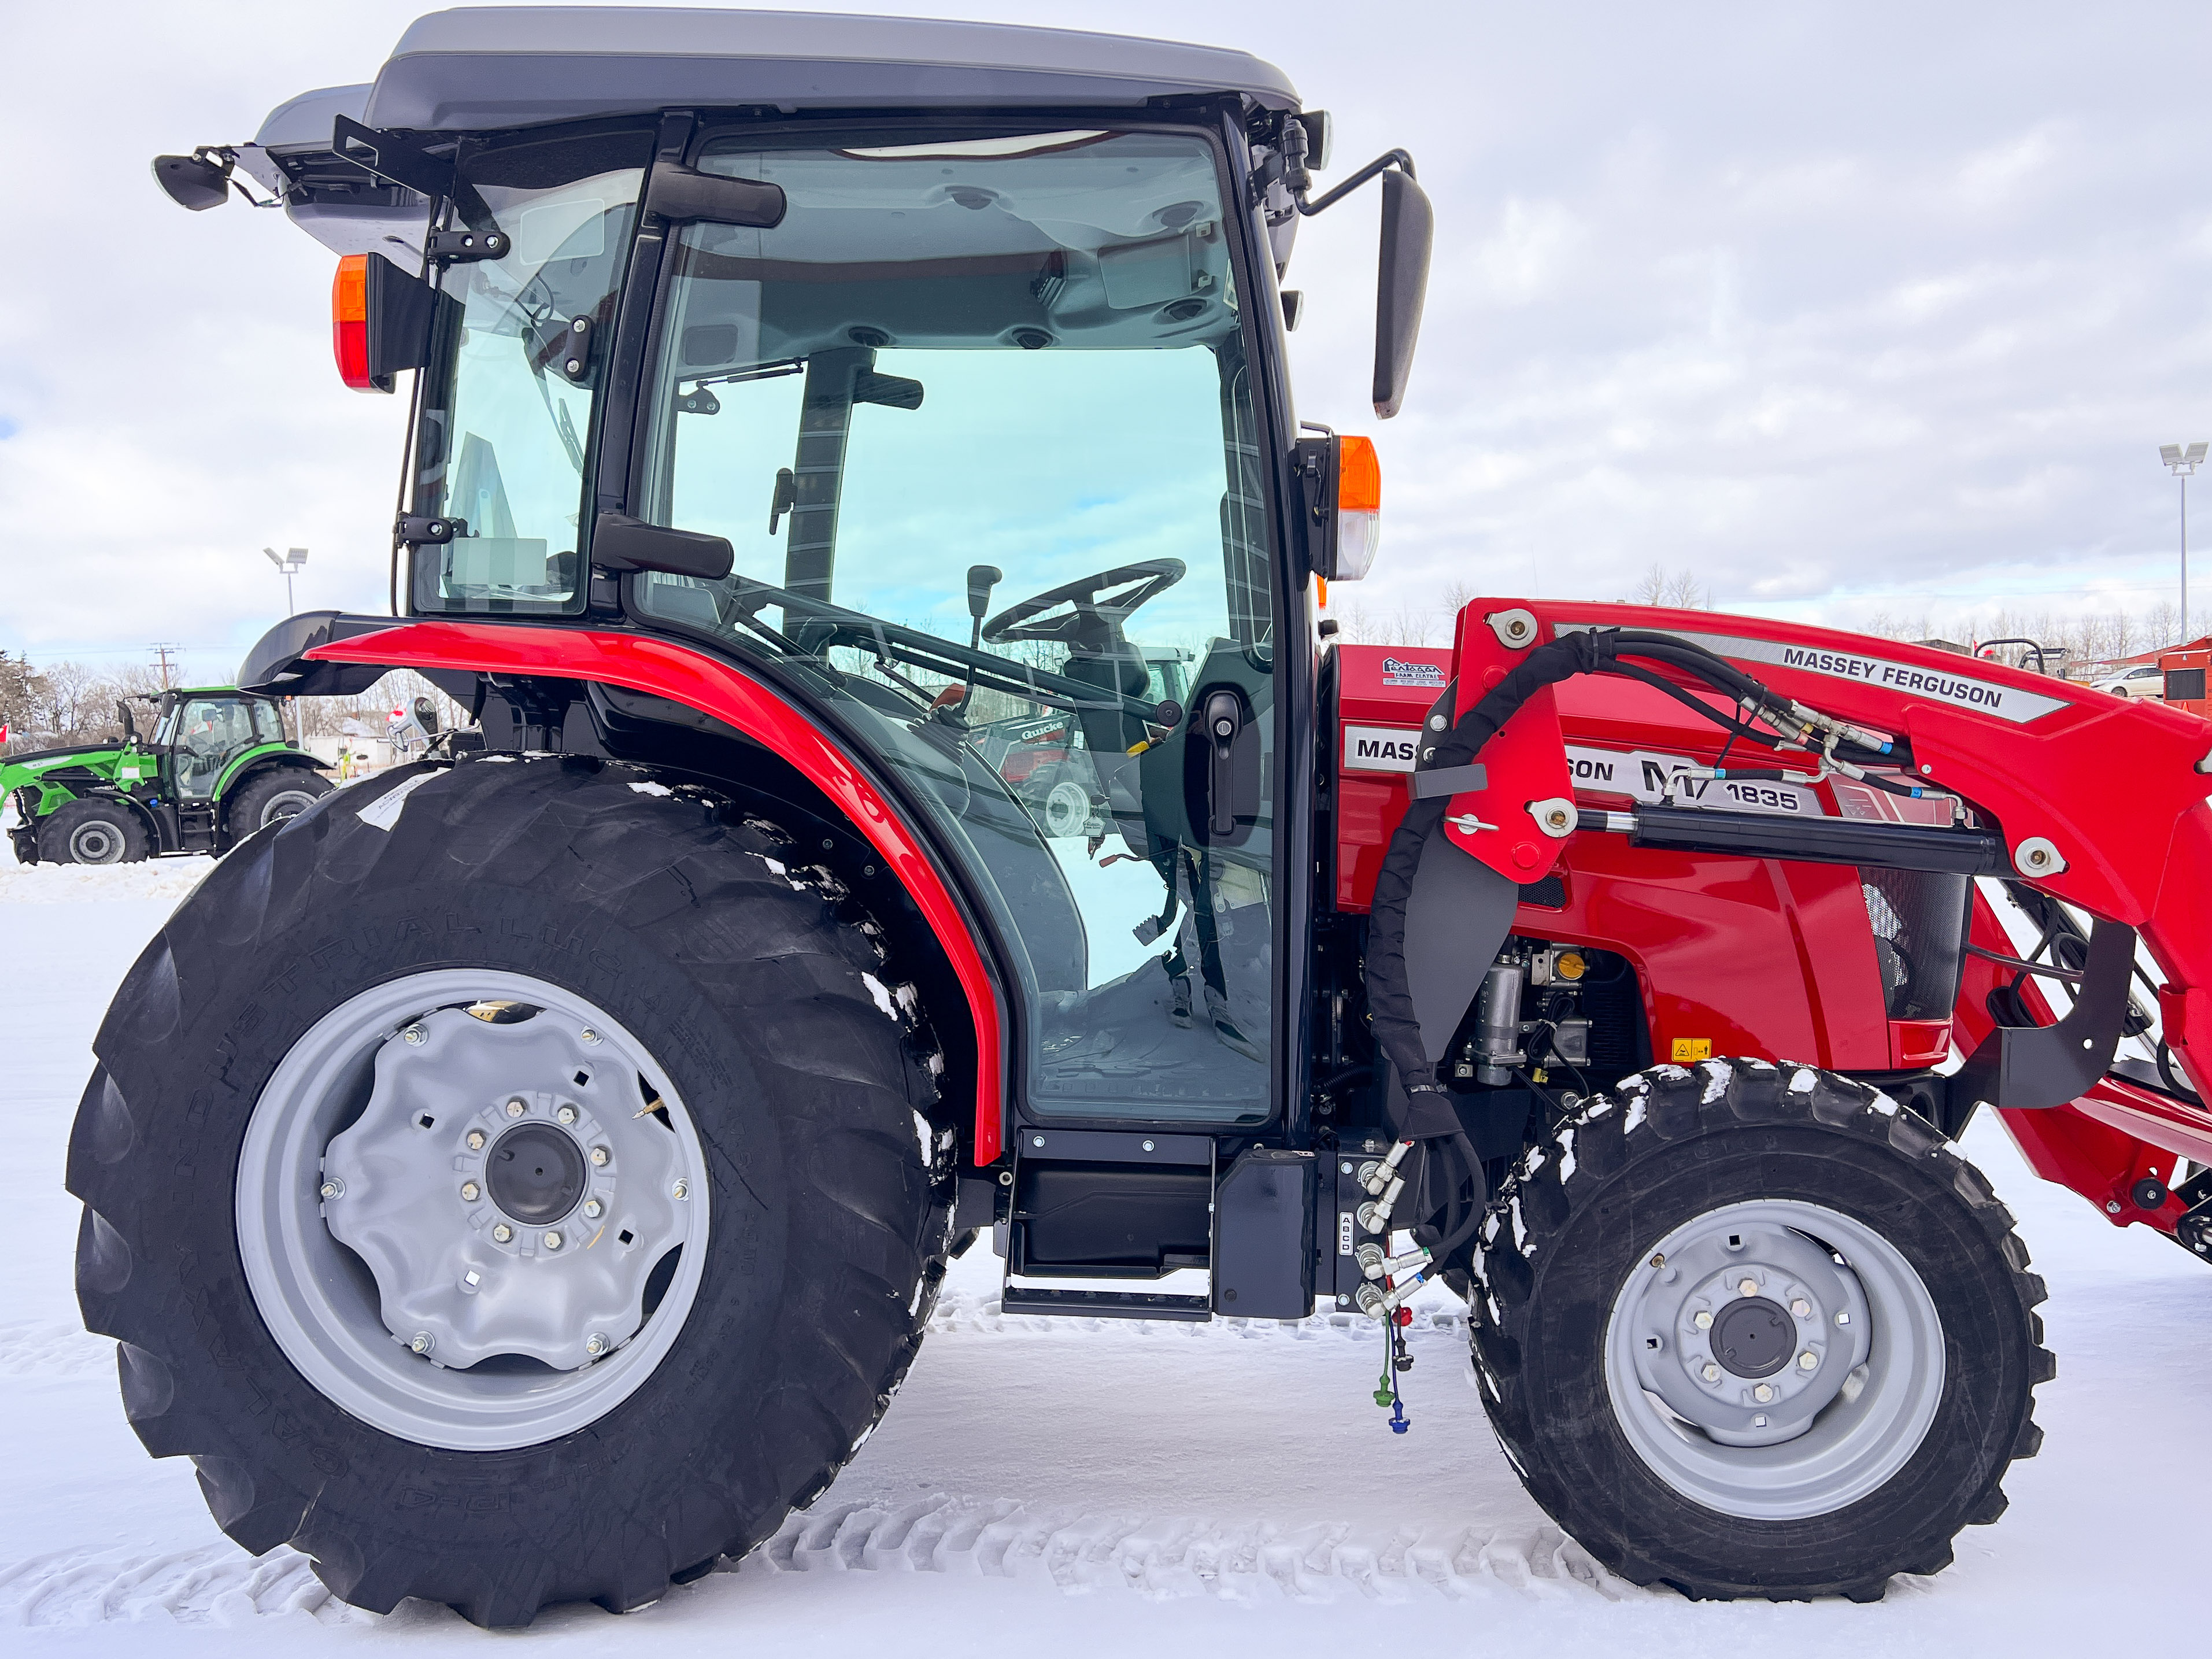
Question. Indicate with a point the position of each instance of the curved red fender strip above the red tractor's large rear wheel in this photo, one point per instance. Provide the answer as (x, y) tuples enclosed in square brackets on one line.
[(696, 680)]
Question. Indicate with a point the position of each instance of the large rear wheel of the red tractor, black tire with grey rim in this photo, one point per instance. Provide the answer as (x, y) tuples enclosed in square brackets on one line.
[(552, 1001)]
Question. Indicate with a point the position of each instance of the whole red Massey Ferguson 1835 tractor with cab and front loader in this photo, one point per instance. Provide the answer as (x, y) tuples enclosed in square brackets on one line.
[(528, 1176)]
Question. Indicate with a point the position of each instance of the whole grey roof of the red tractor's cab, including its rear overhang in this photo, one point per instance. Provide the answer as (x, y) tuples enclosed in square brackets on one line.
[(505, 67)]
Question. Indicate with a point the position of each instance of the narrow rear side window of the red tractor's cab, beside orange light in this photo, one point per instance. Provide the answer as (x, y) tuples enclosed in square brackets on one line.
[(521, 348)]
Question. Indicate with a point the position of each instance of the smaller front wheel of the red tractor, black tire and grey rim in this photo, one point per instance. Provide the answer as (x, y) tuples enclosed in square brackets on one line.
[(1753, 1331)]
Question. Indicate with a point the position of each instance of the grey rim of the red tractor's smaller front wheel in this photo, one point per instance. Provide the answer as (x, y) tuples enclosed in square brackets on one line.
[(1775, 1359)]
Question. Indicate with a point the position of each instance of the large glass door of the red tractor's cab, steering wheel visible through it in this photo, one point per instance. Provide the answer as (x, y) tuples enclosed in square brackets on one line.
[(979, 428)]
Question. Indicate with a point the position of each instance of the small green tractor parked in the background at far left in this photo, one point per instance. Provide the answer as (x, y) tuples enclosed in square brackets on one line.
[(218, 769)]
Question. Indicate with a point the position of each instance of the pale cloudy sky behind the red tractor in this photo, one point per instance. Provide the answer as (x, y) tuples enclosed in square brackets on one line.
[(1844, 309)]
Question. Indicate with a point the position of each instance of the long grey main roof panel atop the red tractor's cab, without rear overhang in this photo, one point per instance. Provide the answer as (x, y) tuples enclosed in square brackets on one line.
[(483, 67)]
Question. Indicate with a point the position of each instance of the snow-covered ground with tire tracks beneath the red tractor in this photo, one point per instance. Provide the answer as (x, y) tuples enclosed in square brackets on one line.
[(1087, 1488)]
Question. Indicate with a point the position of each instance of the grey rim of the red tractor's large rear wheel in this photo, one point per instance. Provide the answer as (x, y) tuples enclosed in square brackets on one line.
[(419, 1238)]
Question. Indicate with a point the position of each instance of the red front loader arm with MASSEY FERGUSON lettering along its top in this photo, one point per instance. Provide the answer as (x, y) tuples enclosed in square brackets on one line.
[(2098, 802)]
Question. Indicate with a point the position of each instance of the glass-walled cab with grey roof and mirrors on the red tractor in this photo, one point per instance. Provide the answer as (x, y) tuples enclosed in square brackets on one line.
[(946, 401)]
